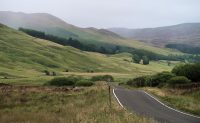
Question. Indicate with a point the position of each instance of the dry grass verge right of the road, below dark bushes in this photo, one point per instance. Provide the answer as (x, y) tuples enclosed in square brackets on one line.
[(184, 100)]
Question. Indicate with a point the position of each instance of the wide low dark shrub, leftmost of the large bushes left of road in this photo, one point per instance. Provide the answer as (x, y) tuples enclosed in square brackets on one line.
[(63, 81)]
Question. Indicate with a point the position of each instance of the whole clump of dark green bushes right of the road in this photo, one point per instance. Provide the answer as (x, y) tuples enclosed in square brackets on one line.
[(181, 74)]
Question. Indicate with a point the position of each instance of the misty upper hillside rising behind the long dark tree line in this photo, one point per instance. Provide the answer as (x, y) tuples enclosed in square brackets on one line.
[(55, 26)]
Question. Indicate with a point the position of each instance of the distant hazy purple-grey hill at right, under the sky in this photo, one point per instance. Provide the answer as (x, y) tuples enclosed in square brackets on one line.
[(187, 33)]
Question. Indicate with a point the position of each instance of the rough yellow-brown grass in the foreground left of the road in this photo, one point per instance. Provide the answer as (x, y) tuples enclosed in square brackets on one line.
[(43, 105)]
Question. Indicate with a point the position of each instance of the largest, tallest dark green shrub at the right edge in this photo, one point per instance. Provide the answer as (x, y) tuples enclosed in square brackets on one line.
[(191, 71)]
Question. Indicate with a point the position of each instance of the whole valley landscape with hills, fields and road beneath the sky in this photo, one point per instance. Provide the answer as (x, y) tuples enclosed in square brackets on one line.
[(52, 71)]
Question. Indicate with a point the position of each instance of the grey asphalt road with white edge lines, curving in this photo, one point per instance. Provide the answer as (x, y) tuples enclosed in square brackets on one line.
[(143, 104)]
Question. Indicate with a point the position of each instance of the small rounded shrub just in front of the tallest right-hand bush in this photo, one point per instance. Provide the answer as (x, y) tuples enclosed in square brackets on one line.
[(178, 80)]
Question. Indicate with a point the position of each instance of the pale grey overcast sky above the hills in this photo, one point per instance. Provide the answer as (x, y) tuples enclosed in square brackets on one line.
[(112, 13)]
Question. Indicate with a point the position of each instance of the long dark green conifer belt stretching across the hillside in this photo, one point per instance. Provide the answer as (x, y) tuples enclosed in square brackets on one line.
[(138, 54)]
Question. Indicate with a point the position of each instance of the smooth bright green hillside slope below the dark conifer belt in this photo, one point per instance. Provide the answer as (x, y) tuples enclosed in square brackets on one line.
[(23, 56)]
